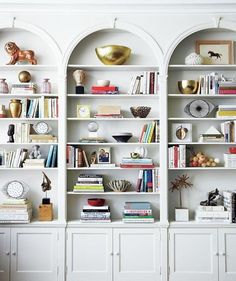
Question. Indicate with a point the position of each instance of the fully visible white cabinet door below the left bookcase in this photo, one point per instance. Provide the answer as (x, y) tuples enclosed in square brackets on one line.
[(33, 254)]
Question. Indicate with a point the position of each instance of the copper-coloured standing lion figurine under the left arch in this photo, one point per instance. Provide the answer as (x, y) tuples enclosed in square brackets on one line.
[(19, 55)]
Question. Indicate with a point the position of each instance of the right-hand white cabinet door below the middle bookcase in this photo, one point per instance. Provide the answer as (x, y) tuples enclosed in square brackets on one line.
[(136, 254)]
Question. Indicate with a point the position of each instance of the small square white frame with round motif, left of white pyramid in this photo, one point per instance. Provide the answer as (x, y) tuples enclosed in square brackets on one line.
[(181, 132)]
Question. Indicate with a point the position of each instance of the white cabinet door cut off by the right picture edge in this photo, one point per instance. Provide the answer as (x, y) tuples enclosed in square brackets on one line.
[(227, 254)]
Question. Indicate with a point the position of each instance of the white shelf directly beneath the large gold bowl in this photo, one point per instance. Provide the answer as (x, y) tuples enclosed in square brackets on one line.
[(114, 67)]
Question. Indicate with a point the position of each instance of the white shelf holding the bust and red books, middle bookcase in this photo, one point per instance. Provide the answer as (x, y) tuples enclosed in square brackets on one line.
[(118, 96)]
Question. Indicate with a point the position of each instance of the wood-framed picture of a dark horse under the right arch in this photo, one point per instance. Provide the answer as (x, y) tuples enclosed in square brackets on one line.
[(216, 51)]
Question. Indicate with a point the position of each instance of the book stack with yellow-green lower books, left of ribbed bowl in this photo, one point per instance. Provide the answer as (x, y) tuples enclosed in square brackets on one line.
[(89, 183)]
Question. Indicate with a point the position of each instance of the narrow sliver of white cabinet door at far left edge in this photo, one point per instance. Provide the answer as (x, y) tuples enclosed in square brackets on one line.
[(4, 253)]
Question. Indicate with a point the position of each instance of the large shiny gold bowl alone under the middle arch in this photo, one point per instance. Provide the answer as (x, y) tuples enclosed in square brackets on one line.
[(113, 54)]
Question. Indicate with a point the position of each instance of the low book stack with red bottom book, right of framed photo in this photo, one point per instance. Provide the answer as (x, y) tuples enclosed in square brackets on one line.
[(128, 162)]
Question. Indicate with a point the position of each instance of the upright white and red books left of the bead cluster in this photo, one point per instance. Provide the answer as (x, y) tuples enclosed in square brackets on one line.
[(177, 156)]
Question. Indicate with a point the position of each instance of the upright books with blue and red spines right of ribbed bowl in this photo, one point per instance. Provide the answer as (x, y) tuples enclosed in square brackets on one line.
[(148, 181)]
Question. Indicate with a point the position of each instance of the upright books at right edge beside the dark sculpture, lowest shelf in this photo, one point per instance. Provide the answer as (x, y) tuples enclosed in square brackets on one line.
[(229, 202)]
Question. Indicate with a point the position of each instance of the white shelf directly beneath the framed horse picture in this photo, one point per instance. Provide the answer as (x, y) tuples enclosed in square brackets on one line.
[(202, 67)]
